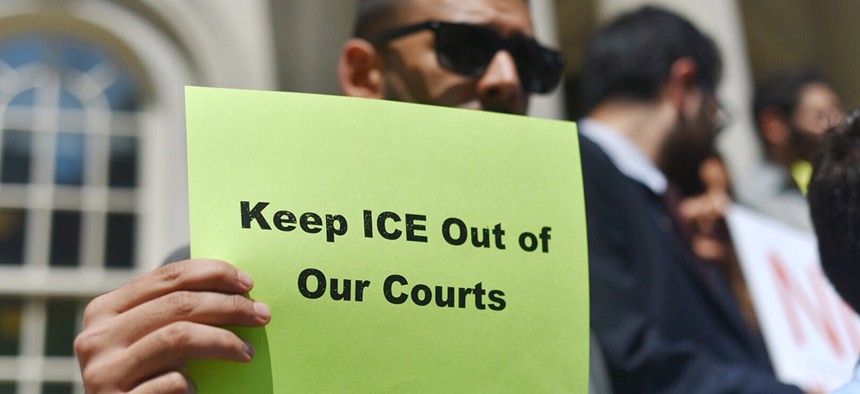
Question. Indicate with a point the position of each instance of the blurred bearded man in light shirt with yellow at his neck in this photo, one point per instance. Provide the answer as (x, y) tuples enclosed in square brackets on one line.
[(792, 110)]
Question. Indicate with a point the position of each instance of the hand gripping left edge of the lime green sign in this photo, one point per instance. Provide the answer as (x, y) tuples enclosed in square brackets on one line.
[(139, 337)]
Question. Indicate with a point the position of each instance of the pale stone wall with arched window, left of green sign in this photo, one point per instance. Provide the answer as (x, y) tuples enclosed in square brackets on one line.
[(92, 155)]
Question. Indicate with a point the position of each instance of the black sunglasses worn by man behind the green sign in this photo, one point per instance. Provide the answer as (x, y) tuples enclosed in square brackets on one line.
[(468, 50)]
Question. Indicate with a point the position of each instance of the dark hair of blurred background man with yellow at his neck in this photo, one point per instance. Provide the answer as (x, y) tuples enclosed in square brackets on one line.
[(782, 90)]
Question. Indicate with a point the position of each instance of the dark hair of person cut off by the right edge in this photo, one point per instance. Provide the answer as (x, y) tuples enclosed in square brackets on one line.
[(834, 202)]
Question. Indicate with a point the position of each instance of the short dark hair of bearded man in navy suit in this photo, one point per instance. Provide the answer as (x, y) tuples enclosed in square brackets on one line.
[(632, 56)]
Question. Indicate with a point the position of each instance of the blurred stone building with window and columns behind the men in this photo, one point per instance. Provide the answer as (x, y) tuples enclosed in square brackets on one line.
[(92, 144)]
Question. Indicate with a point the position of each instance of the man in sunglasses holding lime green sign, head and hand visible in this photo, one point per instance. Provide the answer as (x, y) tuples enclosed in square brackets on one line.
[(472, 54)]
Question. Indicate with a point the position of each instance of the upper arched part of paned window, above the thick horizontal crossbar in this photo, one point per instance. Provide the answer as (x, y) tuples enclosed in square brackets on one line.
[(69, 153)]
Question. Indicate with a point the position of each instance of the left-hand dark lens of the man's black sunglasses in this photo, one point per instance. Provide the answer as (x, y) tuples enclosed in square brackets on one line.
[(464, 49)]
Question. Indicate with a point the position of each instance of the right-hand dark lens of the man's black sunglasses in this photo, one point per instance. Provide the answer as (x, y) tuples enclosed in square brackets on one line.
[(540, 68)]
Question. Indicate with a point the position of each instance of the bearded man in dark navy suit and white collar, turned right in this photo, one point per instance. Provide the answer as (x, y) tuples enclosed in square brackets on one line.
[(665, 320)]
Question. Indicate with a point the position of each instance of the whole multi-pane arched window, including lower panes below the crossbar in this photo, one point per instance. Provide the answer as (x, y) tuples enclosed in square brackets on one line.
[(70, 158)]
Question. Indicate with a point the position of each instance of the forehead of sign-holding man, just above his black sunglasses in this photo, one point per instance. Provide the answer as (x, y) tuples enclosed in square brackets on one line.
[(507, 16)]
